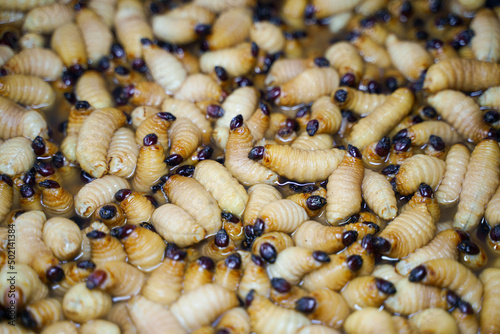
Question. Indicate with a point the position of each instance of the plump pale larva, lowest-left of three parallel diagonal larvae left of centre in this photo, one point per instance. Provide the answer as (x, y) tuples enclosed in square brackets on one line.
[(167, 221)]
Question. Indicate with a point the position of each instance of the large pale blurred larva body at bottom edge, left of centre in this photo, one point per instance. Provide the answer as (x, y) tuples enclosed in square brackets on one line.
[(192, 313)]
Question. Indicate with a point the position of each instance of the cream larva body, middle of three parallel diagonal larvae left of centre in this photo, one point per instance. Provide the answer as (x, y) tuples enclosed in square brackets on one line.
[(191, 196)]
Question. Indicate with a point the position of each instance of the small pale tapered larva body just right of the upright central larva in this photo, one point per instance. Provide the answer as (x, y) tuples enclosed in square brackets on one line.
[(378, 194)]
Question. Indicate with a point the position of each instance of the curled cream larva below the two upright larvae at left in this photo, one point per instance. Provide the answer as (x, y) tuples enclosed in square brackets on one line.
[(97, 193)]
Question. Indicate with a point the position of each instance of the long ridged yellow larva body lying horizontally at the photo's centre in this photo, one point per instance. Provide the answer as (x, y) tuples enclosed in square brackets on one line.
[(301, 165)]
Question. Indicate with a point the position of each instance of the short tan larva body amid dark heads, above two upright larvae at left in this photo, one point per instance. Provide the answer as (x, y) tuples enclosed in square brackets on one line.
[(91, 87)]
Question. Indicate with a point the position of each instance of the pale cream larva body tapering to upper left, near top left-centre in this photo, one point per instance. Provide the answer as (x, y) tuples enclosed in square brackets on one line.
[(166, 70)]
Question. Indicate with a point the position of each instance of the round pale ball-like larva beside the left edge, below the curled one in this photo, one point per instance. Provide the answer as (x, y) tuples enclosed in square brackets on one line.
[(63, 237)]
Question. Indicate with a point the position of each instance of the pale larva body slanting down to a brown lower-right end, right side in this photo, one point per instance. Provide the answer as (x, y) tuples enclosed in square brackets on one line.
[(462, 113)]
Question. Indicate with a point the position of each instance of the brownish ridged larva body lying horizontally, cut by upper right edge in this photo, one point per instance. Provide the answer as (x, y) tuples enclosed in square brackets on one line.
[(466, 75)]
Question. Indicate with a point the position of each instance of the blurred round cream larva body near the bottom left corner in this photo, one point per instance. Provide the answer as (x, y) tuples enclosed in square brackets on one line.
[(81, 304)]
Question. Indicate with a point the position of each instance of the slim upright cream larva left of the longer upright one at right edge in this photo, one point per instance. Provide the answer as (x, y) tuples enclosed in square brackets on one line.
[(457, 161)]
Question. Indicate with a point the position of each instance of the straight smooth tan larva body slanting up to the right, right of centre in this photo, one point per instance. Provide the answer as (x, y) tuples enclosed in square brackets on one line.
[(386, 116)]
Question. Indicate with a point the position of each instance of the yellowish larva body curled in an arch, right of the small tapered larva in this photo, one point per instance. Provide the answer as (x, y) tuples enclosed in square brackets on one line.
[(419, 169)]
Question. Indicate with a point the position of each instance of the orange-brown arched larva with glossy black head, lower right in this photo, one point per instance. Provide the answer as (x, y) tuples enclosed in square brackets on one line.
[(450, 274)]
